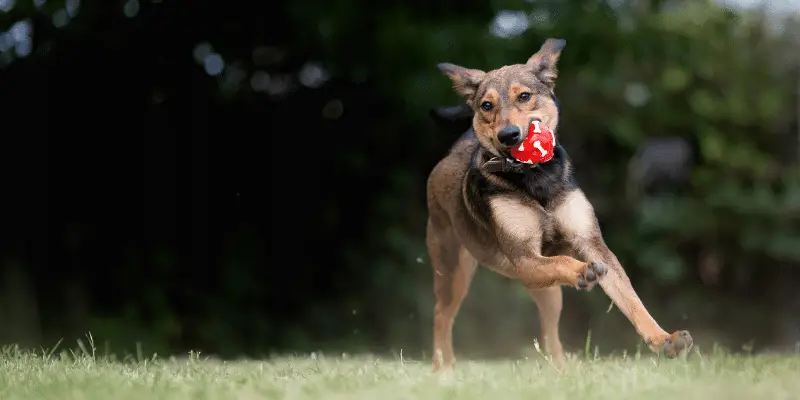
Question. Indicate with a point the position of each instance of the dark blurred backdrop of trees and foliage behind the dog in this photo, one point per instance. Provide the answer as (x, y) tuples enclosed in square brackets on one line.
[(248, 178)]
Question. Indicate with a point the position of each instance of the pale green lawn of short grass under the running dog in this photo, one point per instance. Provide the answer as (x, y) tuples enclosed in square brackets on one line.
[(720, 377)]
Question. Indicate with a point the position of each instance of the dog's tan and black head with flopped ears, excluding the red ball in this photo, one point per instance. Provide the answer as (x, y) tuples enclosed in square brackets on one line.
[(508, 99)]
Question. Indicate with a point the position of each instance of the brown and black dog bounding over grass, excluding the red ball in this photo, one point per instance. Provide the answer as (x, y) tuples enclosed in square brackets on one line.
[(531, 223)]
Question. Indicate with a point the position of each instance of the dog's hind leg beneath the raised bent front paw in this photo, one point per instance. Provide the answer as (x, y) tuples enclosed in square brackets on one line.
[(549, 302)]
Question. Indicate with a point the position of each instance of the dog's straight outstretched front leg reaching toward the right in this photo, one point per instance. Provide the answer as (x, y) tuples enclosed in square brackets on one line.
[(577, 221)]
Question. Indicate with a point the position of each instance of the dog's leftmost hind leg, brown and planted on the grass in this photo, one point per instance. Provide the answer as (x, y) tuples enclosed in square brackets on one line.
[(453, 270)]
